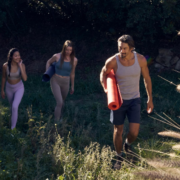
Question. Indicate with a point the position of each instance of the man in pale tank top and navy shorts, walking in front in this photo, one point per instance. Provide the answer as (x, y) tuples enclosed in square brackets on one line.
[(127, 65)]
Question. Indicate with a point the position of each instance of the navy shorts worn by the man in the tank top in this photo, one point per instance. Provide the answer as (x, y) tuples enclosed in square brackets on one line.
[(130, 108)]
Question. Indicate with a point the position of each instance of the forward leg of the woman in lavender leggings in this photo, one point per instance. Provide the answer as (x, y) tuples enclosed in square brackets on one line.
[(15, 104)]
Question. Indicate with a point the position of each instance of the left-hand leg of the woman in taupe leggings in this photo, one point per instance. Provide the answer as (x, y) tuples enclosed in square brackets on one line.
[(56, 90)]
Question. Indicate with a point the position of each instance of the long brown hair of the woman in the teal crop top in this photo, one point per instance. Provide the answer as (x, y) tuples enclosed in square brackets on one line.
[(67, 43)]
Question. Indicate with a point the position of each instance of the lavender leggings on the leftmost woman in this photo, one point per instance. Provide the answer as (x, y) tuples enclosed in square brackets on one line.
[(14, 94)]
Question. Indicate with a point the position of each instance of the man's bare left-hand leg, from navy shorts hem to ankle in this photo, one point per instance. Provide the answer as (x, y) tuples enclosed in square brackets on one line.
[(117, 138)]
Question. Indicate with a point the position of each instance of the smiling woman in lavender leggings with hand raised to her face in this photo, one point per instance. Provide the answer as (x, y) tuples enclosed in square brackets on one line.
[(14, 70)]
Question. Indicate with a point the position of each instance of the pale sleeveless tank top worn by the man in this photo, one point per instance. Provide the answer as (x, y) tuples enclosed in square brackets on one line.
[(128, 79)]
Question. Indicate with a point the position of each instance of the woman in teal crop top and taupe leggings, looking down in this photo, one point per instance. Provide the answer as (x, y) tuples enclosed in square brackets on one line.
[(64, 73)]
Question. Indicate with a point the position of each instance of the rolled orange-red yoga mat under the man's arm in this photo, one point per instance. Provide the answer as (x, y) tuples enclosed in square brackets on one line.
[(114, 97)]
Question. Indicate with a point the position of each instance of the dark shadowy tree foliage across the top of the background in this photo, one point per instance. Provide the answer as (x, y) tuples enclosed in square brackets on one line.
[(145, 19)]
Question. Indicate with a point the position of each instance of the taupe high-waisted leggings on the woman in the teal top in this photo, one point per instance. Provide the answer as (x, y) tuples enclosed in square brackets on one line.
[(60, 89)]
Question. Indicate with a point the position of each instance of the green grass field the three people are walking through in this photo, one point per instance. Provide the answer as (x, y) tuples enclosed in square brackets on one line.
[(34, 150)]
